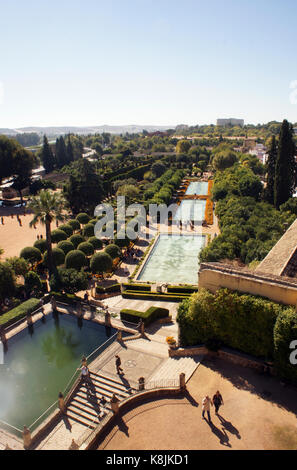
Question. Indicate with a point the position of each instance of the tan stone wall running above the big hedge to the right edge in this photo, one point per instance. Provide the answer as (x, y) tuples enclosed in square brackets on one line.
[(213, 276)]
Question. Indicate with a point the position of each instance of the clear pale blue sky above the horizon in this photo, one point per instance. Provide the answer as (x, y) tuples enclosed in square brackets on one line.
[(163, 62)]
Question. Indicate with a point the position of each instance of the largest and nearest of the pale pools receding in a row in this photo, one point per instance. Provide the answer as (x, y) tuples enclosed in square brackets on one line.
[(174, 260)]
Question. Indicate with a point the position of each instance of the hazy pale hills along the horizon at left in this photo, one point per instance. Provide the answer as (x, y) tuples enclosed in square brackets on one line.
[(83, 130)]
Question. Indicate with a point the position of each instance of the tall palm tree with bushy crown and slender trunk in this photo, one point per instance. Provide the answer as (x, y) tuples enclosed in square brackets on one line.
[(47, 206)]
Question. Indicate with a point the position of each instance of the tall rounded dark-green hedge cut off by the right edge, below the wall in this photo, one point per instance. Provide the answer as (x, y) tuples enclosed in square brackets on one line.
[(285, 331)]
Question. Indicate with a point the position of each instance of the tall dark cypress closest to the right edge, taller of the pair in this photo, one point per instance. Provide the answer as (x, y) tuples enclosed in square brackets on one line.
[(285, 169)]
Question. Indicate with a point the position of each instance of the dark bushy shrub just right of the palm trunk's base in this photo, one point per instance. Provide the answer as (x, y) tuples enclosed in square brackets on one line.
[(69, 281)]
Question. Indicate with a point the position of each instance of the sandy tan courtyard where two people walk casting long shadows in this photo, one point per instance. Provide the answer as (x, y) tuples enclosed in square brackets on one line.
[(258, 414)]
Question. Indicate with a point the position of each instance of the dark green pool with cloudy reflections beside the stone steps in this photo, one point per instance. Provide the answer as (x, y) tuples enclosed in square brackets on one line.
[(39, 363)]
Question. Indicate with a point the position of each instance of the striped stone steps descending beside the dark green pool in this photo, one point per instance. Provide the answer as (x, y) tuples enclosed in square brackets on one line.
[(86, 407)]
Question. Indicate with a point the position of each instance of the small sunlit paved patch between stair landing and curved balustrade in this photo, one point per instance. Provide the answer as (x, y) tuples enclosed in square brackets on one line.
[(174, 366)]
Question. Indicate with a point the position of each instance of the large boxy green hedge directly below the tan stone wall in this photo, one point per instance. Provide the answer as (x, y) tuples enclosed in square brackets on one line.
[(243, 322)]
